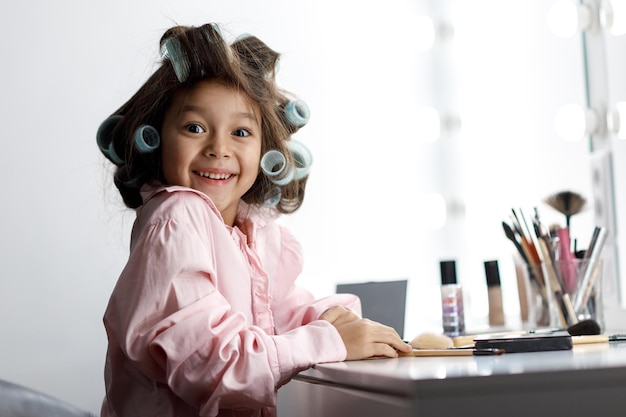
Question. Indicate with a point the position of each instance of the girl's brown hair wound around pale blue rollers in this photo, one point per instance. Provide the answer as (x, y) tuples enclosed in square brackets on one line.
[(248, 65)]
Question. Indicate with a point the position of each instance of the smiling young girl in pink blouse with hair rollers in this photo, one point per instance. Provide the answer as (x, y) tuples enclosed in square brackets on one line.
[(205, 318)]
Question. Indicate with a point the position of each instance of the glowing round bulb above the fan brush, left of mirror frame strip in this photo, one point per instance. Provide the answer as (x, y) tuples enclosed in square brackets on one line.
[(572, 122)]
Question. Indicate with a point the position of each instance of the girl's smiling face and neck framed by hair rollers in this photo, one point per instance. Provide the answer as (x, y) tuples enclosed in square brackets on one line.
[(211, 142)]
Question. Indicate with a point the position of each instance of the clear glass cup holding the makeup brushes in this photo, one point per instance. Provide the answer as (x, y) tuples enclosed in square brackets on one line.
[(563, 292)]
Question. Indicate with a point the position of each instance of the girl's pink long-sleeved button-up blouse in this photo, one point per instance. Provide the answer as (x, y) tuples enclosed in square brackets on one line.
[(206, 319)]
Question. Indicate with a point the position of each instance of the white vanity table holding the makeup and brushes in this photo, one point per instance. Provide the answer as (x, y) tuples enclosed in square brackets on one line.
[(589, 380)]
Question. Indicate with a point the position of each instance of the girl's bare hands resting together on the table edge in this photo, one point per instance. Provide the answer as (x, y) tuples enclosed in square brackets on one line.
[(364, 338)]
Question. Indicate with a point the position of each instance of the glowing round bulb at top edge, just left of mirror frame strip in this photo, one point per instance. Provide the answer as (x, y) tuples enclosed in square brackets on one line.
[(567, 17)]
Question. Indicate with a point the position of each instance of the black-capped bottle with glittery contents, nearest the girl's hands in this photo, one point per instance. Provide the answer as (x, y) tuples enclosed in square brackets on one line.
[(453, 319)]
